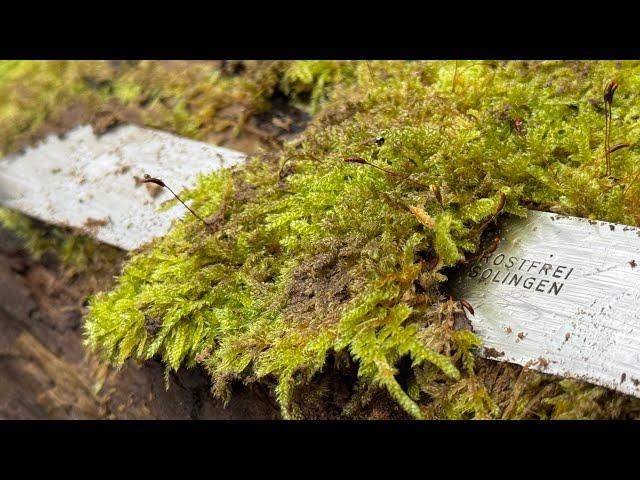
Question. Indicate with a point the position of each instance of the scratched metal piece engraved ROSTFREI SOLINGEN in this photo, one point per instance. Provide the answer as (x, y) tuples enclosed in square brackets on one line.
[(587, 324)]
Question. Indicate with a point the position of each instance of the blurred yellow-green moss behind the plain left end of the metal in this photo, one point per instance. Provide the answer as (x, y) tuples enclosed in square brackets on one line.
[(195, 99)]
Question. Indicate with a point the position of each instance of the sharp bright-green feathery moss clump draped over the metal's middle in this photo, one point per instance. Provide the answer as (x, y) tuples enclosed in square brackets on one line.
[(318, 256)]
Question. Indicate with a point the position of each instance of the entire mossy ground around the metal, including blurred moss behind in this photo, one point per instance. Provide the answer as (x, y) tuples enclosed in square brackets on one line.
[(326, 257)]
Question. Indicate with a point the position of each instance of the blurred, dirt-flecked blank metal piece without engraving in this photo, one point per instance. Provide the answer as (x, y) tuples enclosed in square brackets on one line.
[(84, 180)]
